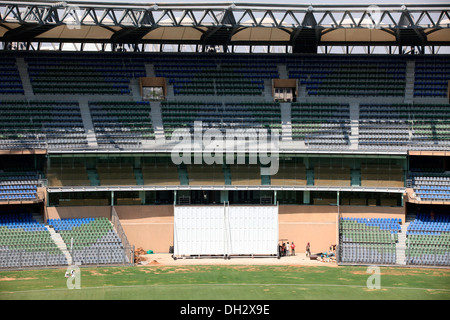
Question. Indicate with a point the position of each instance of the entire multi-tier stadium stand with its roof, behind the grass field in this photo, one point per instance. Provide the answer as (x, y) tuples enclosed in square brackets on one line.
[(364, 137)]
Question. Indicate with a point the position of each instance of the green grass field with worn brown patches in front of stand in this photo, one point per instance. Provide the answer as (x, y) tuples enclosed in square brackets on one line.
[(227, 283)]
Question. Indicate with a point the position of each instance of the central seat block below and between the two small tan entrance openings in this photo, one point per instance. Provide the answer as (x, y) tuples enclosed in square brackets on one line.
[(242, 115)]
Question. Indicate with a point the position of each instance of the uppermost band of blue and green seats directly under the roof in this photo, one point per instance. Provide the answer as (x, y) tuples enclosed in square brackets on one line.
[(52, 73)]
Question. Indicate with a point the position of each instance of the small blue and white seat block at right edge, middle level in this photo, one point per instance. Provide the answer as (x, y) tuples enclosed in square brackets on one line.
[(431, 186)]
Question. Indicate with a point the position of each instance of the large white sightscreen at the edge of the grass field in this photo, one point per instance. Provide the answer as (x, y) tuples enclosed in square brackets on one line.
[(225, 230)]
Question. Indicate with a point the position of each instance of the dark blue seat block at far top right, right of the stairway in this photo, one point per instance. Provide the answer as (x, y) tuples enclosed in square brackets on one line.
[(431, 76)]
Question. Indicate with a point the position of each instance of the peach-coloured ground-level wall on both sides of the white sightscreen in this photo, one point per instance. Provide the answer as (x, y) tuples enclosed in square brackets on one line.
[(151, 227)]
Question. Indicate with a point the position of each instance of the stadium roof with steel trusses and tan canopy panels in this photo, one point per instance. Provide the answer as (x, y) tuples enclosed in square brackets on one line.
[(225, 24)]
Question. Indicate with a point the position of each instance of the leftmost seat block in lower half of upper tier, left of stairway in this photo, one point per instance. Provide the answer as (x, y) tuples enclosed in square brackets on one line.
[(41, 124)]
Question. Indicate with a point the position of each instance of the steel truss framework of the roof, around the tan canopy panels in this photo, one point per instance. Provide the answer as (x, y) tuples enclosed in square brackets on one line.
[(219, 21)]
